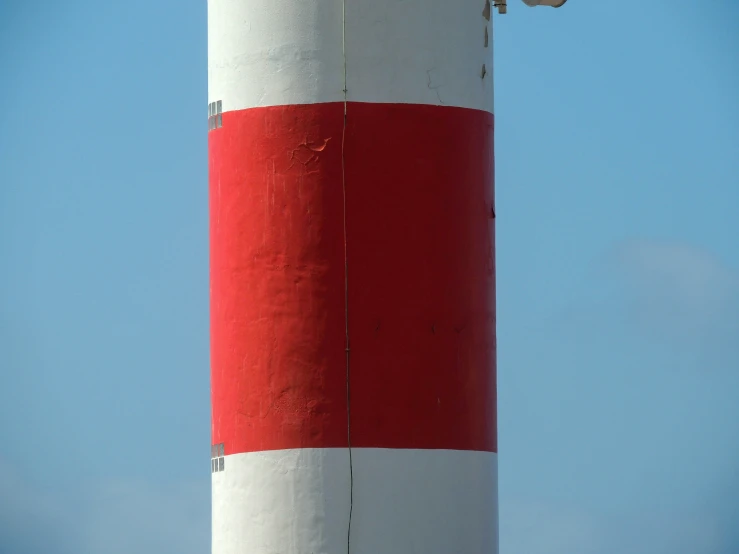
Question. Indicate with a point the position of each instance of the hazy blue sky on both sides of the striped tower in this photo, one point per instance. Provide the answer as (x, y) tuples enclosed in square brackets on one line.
[(617, 154)]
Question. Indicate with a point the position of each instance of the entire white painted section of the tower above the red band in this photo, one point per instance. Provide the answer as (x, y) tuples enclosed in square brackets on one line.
[(280, 52)]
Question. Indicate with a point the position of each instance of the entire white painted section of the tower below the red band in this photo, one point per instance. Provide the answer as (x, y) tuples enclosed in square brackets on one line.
[(405, 502)]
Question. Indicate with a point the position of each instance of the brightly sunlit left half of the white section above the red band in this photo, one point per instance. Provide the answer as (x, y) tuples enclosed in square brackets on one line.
[(274, 52)]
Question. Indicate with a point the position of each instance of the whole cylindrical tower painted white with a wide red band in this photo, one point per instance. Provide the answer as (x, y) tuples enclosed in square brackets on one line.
[(352, 277)]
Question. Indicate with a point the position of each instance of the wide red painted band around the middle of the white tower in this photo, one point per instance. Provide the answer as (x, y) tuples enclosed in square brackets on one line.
[(421, 296)]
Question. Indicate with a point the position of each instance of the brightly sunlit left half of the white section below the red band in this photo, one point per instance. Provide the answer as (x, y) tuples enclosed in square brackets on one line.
[(282, 501)]
